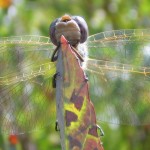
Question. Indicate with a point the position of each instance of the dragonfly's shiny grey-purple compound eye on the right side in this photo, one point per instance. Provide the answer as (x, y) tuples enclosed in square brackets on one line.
[(83, 27)]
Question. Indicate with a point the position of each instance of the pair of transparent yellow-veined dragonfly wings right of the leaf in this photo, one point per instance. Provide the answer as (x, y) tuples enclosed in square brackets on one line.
[(118, 69)]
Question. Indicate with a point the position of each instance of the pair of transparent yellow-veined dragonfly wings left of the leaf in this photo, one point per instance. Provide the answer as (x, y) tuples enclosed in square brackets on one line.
[(26, 93)]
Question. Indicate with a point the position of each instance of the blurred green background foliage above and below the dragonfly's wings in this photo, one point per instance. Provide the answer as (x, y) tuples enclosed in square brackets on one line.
[(33, 17)]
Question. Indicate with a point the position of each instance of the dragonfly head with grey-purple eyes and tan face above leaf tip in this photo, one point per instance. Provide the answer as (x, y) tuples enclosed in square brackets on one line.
[(74, 28)]
